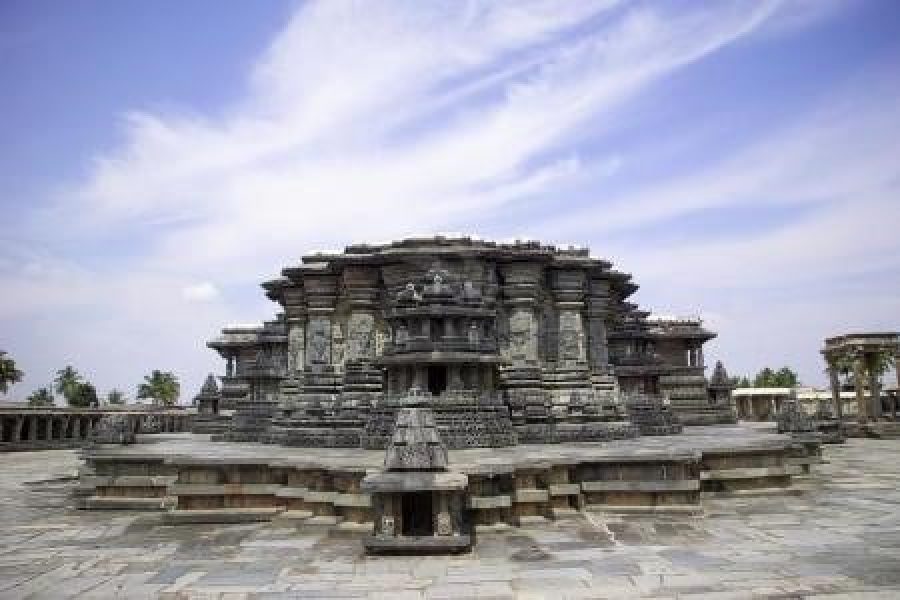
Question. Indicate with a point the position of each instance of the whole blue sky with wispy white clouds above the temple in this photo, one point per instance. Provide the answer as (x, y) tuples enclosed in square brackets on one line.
[(741, 159)]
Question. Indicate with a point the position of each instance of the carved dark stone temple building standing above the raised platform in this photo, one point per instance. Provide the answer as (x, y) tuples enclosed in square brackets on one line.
[(508, 344)]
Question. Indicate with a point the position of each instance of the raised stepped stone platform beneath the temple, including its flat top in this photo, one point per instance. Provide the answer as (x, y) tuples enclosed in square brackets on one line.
[(514, 485)]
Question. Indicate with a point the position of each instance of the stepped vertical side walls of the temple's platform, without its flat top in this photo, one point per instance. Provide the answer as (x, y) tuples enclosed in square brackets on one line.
[(210, 489)]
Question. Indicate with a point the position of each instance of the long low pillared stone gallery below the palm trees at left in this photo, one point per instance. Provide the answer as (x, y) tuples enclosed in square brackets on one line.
[(54, 428)]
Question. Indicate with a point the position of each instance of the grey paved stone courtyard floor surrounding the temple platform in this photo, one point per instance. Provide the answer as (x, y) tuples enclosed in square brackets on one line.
[(839, 538)]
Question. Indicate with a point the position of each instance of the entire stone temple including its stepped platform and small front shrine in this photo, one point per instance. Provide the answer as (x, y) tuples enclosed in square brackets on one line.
[(426, 390)]
